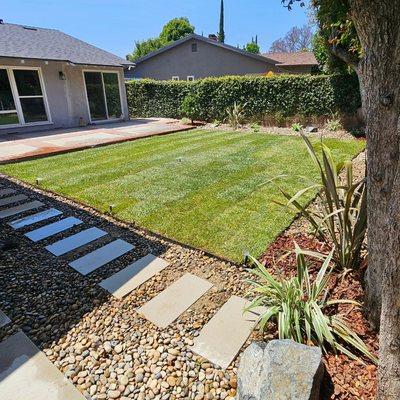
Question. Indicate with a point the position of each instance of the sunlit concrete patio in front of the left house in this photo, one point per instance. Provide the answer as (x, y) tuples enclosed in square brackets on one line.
[(20, 146)]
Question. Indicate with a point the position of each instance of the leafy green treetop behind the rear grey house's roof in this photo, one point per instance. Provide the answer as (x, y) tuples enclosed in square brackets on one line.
[(172, 31)]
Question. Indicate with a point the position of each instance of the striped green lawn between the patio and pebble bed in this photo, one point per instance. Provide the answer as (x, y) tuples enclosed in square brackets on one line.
[(206, 189)]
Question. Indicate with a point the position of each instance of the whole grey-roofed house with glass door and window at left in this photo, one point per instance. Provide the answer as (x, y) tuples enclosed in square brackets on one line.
[(51, 80)]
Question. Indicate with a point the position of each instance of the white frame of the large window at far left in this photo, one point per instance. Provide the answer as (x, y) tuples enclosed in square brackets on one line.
[(18, 107)]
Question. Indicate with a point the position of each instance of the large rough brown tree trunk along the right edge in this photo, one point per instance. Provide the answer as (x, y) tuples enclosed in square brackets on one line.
[(378, 26)]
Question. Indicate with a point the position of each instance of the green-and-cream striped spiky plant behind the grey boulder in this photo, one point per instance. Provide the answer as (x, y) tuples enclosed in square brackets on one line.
[(298, 305)]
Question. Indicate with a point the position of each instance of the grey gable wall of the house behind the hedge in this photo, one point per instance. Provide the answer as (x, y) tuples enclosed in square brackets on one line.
[(209, 60)]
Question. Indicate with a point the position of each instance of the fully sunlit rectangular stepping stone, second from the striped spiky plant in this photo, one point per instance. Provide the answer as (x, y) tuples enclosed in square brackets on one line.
[(167, 306)]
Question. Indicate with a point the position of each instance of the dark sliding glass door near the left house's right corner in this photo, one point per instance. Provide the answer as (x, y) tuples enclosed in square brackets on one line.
[(103, 95)]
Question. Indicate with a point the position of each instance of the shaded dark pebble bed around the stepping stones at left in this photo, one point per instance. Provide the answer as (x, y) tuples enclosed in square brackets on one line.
[(40, 293)]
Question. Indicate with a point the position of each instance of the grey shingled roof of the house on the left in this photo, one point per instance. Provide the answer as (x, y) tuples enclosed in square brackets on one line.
[(20, 41)]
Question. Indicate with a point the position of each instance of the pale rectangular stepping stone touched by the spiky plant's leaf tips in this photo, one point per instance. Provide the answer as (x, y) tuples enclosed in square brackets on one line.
[(224, 335)]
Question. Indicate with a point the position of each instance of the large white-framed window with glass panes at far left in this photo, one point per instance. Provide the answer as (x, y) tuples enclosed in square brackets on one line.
[(22, 98)]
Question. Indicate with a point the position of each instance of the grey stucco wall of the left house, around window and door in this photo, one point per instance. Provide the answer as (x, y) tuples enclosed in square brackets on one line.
[(66, 98)]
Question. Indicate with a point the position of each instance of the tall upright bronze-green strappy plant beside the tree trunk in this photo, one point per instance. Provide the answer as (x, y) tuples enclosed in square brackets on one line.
[(339, 215)]
